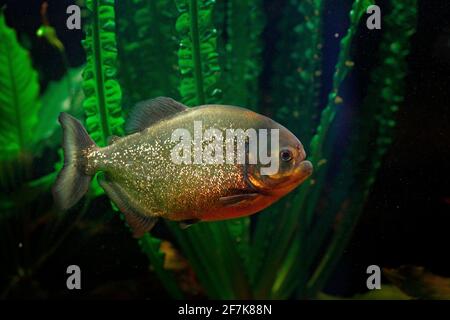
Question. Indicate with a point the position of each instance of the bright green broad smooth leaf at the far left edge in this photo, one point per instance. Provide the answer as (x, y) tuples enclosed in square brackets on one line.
[(19, 96)]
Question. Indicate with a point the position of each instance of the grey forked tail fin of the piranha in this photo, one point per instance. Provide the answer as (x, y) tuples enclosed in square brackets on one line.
[(73, 181)]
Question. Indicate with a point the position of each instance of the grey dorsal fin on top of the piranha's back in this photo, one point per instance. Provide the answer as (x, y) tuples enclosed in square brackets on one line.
[(148, 112)]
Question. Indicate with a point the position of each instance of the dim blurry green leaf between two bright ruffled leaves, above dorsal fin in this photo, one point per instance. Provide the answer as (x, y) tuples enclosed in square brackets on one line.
[(147, 65)]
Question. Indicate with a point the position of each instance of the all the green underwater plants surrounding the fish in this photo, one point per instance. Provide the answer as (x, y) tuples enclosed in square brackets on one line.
[(205, 52)]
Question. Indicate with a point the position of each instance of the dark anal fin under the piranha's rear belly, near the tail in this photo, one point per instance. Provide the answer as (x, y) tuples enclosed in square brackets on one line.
[(135, 217)]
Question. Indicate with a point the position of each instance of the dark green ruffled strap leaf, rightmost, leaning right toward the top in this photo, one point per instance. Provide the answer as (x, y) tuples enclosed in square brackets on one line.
[(382, 101)]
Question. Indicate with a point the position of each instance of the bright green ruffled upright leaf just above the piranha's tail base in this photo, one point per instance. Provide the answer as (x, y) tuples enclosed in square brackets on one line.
[(103, 93)]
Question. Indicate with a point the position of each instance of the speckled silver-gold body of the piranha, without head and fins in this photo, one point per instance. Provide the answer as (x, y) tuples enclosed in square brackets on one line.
[(141, 165)]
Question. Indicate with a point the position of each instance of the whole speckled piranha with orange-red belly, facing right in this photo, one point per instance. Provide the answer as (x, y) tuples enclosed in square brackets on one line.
[(140, 176)]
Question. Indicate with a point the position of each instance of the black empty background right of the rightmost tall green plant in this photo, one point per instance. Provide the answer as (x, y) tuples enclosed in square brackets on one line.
[(407, 217)]
